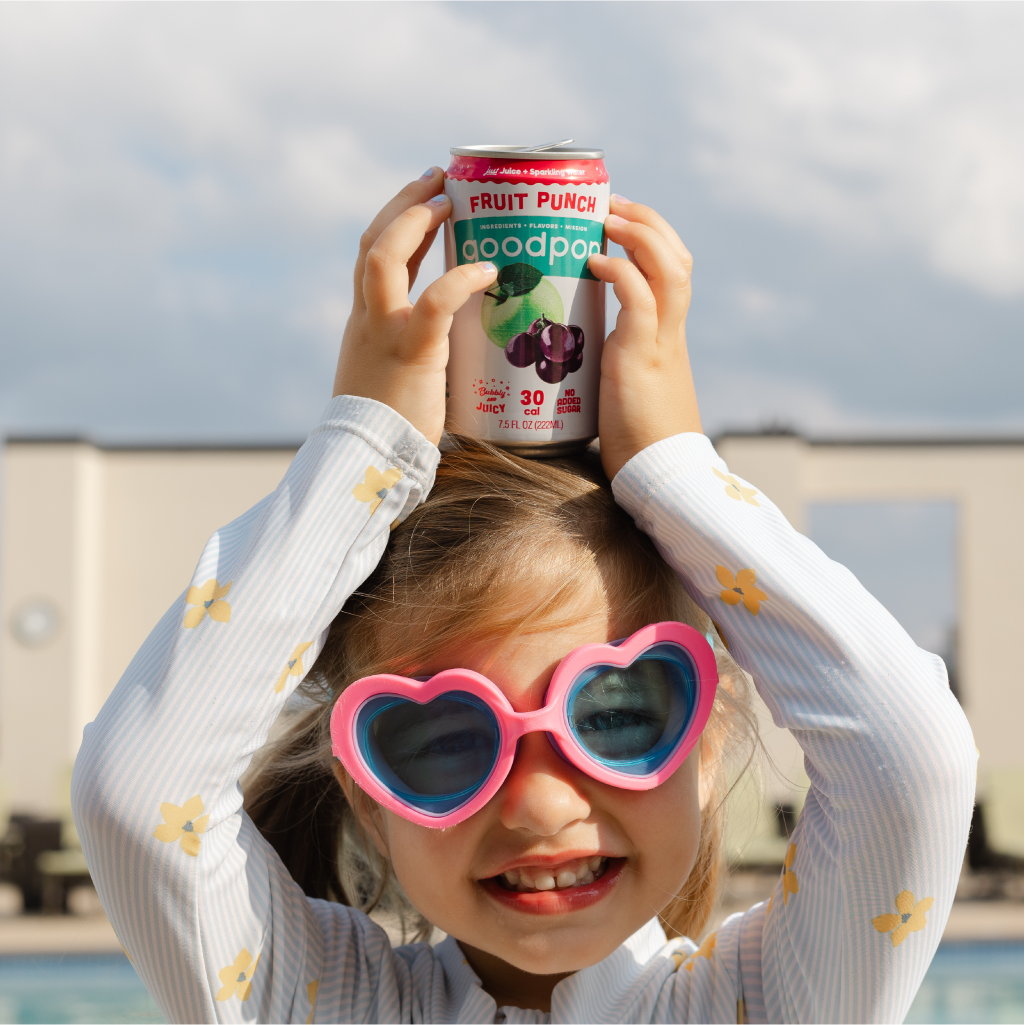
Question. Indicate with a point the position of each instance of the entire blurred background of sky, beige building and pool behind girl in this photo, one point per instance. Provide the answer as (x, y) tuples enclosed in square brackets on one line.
[(182, 193)]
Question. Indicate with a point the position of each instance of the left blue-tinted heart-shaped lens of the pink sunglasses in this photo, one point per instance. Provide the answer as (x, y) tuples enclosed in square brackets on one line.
[(434, 757)]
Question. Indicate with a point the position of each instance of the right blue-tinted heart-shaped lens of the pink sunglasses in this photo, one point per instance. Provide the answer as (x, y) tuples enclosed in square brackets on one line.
[(633, 719)]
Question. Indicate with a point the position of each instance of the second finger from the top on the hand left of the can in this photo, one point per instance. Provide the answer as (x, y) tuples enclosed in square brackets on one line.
[(386, 271)]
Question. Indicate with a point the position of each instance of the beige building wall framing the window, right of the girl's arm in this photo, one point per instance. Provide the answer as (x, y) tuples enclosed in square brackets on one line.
[(986, 481)]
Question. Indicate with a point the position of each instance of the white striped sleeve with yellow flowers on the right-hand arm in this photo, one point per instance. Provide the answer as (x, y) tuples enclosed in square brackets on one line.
[(874, 864)]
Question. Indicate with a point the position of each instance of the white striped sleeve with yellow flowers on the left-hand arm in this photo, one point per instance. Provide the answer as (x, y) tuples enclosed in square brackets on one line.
[(214, 924)]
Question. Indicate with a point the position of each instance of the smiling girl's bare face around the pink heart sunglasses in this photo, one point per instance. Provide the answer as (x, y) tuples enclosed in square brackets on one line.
[(549, 821)]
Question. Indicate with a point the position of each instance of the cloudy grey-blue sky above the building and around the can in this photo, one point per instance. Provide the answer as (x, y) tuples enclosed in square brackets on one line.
[(183, 189)]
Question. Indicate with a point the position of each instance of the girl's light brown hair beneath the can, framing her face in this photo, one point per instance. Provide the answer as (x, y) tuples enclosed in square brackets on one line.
[(503, 547)]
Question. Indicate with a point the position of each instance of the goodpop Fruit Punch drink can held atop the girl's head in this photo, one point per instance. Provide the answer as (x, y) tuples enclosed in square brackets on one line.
[(525, 355)]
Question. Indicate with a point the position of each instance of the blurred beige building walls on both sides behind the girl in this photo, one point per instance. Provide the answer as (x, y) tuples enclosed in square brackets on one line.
[(97, 544)]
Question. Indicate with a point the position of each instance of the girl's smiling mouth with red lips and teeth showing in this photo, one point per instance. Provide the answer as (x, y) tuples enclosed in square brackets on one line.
[(556, 890)]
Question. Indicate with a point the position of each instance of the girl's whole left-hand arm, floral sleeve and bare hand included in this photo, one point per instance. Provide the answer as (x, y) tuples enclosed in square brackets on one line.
[(217, 928)]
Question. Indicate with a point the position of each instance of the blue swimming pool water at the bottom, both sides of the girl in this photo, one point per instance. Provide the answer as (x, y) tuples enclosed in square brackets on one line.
[(967, 983)]
